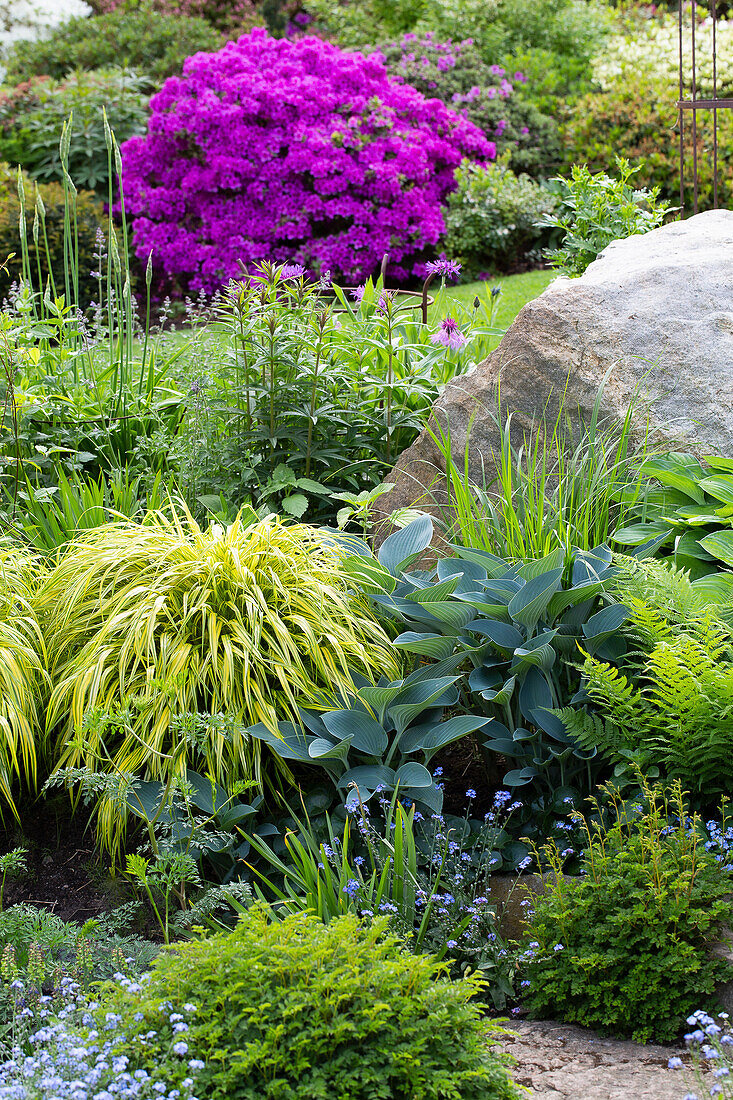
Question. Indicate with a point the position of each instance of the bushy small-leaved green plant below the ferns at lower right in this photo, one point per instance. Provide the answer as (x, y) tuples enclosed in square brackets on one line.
[(625, 947)]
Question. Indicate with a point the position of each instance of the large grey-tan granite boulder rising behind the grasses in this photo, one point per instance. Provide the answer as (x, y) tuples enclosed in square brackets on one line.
[(654, 312)]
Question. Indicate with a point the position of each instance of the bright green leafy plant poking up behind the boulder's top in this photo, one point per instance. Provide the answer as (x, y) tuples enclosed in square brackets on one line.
[(598, 210)]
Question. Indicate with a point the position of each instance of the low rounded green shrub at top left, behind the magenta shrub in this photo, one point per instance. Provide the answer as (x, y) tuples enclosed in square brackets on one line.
[(151, 42)]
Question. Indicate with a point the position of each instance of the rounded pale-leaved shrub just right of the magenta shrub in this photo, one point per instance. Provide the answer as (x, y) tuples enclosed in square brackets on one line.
[(491, 219)]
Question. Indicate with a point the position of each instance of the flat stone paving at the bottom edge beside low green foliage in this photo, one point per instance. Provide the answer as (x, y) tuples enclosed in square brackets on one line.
[(560, 1062)]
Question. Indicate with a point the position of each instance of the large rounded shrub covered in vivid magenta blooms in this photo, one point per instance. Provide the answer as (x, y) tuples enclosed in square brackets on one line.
[(296, 152)]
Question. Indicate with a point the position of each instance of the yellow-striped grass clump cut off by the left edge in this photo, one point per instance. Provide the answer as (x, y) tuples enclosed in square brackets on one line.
[(23, 674)]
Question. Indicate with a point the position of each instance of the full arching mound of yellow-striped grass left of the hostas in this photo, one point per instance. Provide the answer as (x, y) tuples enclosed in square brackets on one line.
[(166, 619)]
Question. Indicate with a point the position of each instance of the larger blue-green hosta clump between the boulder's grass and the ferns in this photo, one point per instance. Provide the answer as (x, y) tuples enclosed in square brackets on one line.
[(519, 630)]
